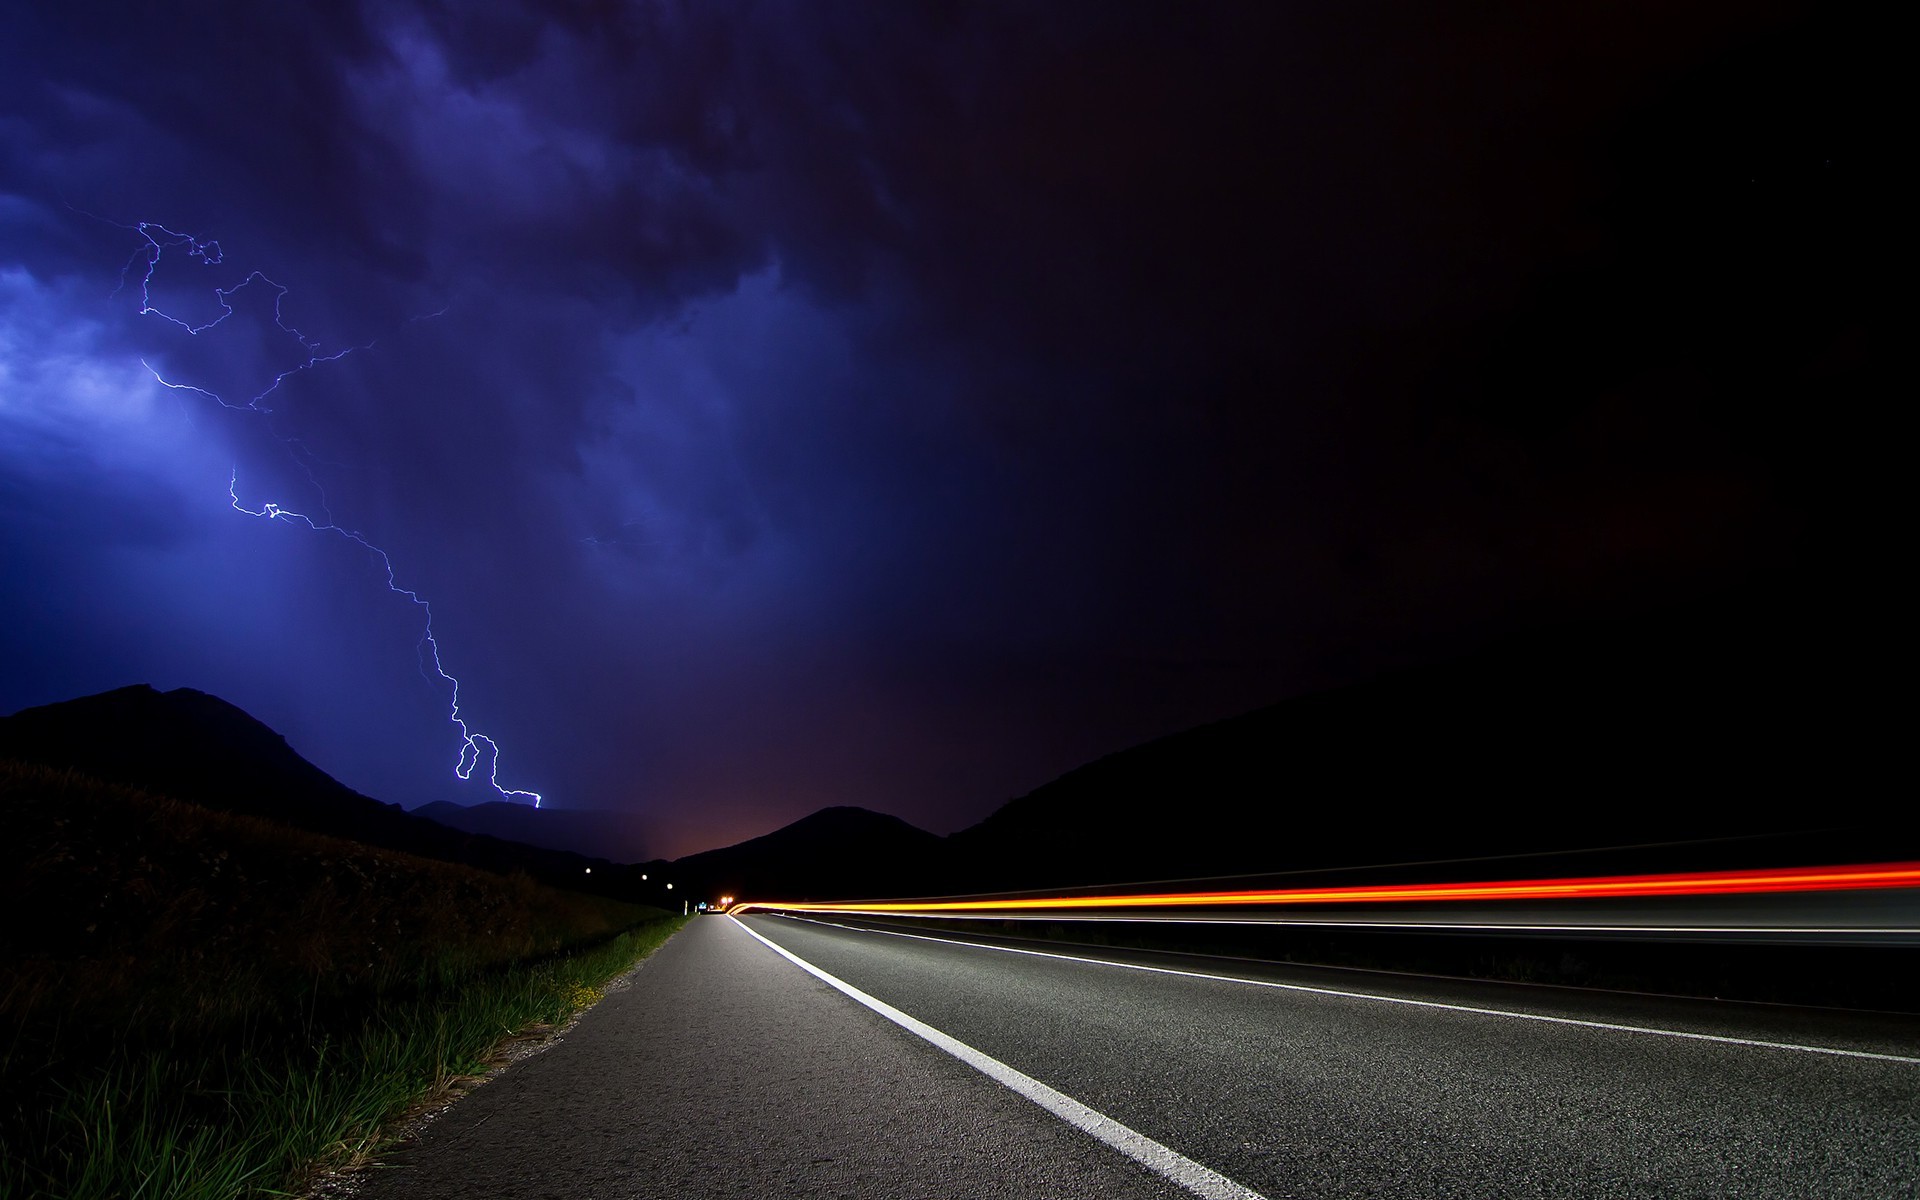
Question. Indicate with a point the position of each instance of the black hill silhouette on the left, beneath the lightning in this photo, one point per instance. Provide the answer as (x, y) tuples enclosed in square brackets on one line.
[(197, 748)]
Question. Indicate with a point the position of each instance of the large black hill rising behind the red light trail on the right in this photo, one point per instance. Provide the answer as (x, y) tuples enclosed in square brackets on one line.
[(1643, 732)]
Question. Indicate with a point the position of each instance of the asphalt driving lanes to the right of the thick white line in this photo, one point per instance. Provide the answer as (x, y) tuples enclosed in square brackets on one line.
[(1308, 1093)]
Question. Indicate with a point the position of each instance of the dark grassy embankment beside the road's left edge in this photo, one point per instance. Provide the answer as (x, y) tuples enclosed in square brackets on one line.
[(206, 1005)]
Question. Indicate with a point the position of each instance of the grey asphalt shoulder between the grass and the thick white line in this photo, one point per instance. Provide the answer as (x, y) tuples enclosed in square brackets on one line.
[(723, 1070)]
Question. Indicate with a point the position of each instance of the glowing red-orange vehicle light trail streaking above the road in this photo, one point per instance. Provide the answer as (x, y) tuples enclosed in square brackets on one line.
[(1593, 888)]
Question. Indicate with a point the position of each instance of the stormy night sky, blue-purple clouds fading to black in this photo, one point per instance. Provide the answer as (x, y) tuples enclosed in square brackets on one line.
[(901, 404)]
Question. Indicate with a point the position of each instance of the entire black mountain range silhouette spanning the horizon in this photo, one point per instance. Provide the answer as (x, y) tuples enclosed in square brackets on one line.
[(1716, 736)]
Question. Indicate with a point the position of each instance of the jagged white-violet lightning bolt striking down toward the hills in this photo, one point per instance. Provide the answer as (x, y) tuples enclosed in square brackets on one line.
[(158, 243)]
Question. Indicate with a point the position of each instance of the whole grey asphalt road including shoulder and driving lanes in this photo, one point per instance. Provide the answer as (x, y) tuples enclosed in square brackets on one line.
[(727, 1070)]
